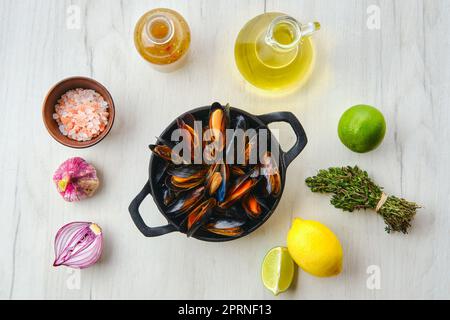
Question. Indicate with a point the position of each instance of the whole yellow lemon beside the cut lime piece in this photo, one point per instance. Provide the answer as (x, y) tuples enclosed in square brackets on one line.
[(315, 248)]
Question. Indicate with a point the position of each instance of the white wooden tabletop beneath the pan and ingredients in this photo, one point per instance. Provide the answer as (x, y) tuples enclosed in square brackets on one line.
[(402, 68)]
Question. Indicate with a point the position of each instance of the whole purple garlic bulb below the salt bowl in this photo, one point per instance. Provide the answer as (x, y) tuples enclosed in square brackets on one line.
[(76, 179)]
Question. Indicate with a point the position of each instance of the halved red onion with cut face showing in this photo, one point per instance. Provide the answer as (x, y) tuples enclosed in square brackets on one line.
[(78, 245)]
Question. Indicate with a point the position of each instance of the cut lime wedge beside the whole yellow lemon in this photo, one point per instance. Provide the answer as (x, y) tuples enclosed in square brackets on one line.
[(277, 270)]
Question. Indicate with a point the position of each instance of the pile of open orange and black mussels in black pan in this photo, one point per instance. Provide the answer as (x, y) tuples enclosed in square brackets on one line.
[(217, 195)]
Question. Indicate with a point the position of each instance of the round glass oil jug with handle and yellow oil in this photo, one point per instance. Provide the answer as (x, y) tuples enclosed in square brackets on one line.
[(274, 51)]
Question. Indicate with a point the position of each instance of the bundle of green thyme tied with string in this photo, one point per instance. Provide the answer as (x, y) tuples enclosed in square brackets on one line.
[(354, 190)]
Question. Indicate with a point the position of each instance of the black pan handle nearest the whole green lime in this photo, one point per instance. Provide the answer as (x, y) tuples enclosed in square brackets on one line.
[(290, 118)]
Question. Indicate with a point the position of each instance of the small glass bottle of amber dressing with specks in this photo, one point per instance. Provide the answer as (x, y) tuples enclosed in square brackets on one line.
[(162, 37)]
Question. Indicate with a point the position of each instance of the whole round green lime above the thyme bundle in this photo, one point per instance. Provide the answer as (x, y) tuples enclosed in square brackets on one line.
[(362, 128)]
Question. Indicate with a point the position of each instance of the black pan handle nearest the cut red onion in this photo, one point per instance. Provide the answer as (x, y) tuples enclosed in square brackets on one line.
[(139, 222)]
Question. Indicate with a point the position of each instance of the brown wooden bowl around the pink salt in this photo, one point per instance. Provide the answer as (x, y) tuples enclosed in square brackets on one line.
[(55, 93)]
